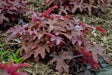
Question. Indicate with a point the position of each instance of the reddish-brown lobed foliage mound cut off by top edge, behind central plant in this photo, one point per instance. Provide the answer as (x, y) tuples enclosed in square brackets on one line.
[(71, 6)]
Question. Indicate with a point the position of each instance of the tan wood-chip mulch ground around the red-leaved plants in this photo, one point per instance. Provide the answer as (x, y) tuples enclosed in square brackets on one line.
[(103, 20)]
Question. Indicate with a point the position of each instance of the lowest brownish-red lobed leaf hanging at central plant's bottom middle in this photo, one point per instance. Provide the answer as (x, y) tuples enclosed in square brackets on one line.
[(60, 63)]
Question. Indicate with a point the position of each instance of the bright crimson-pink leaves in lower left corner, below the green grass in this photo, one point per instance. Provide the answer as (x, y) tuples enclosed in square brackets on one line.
[(11, 68)]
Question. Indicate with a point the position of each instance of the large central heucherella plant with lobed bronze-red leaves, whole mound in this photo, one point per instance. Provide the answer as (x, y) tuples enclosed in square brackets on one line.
[(62, 38)]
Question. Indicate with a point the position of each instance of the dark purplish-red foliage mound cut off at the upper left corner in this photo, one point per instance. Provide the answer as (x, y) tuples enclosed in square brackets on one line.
[(10, 10)]
